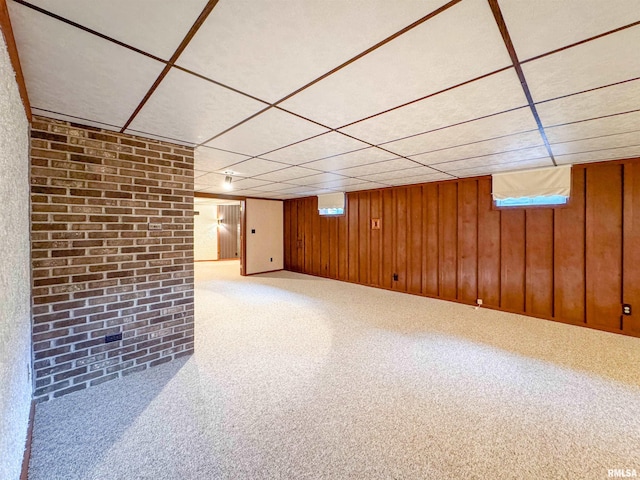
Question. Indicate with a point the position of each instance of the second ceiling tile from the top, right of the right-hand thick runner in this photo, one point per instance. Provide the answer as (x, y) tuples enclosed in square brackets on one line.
[(585, 66)]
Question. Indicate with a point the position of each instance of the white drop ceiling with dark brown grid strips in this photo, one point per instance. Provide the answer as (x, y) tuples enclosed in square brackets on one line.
[(301, 97)]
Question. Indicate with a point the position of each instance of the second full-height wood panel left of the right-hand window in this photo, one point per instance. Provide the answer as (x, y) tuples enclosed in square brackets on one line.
[(468, 241)]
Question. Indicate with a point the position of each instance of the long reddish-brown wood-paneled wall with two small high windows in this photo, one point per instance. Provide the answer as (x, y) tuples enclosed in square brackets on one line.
[(576, 264)]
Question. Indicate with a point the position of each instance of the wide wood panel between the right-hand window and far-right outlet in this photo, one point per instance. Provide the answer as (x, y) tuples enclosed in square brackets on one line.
[(603, 246)]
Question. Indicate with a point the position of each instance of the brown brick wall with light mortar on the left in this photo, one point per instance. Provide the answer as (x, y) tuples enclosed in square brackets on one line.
[(97, 268)]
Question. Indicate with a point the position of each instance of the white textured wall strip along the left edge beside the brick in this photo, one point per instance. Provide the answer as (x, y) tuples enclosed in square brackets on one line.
[(15, 291)]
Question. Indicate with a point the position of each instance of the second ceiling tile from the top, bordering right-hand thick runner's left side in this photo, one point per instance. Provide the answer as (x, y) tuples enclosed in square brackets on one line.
[(496, 93)]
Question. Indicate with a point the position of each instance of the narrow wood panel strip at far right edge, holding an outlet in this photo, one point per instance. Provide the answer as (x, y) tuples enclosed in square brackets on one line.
[(631, 273)]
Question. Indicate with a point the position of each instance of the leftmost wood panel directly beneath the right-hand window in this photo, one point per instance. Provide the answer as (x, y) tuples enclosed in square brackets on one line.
[(512, 263)]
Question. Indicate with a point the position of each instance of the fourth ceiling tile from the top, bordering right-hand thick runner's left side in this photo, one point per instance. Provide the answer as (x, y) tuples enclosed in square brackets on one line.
[(486, 147)]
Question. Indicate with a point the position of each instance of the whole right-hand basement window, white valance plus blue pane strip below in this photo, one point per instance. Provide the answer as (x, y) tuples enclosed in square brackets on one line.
[(532, 188)]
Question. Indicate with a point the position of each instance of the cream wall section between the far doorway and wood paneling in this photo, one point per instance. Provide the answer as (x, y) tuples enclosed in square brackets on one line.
[(265, 247)]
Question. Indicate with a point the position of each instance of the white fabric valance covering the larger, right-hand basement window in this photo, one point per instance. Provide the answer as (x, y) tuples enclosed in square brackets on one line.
[(541, 182)]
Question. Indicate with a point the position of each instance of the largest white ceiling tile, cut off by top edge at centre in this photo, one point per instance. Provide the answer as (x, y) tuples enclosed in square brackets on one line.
[(270, 49)]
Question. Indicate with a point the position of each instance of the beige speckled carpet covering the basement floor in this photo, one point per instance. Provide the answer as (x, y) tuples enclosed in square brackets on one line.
[(301, 377)]
